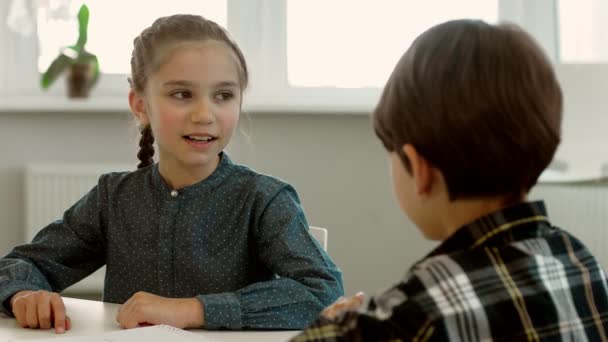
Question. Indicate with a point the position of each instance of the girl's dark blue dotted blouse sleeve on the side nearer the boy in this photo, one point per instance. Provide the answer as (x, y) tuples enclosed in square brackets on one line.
[(307, 280)]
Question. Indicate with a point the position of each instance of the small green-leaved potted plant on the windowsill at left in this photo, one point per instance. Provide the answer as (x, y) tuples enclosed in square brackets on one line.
[(81, 65)]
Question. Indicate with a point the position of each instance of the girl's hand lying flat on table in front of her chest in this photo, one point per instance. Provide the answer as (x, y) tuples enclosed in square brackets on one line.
[(146, 308)]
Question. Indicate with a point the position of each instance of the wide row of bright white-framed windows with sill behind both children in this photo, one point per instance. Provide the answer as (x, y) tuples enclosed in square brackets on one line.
[(304, 55)]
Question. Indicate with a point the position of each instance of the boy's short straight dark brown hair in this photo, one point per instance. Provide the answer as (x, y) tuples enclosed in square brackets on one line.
[(480, 102)]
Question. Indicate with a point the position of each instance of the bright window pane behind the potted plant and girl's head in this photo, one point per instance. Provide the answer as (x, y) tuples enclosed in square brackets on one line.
[(54, 33)]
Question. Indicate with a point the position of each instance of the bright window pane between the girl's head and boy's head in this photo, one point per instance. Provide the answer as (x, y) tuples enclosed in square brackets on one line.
[(352, 44)]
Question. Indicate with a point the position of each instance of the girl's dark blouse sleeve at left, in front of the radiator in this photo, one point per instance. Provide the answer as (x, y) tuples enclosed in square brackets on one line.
[(60, 255)]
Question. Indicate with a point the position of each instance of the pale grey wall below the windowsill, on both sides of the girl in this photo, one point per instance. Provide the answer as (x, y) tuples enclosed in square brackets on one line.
[(334, 161)]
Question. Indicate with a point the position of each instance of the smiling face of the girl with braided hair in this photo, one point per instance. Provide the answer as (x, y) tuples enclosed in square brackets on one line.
[(192, 102)]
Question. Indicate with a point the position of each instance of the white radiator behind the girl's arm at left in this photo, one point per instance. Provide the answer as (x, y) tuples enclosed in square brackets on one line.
[(50, 189)]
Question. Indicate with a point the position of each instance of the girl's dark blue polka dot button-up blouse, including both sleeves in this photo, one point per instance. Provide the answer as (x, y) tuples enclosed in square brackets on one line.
[(238, 241)]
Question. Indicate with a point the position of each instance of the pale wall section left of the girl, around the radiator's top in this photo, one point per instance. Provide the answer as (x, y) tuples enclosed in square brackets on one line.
[(52, 137)]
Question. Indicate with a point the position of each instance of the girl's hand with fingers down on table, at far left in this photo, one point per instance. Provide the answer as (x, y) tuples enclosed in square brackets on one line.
[(40, 309)]
